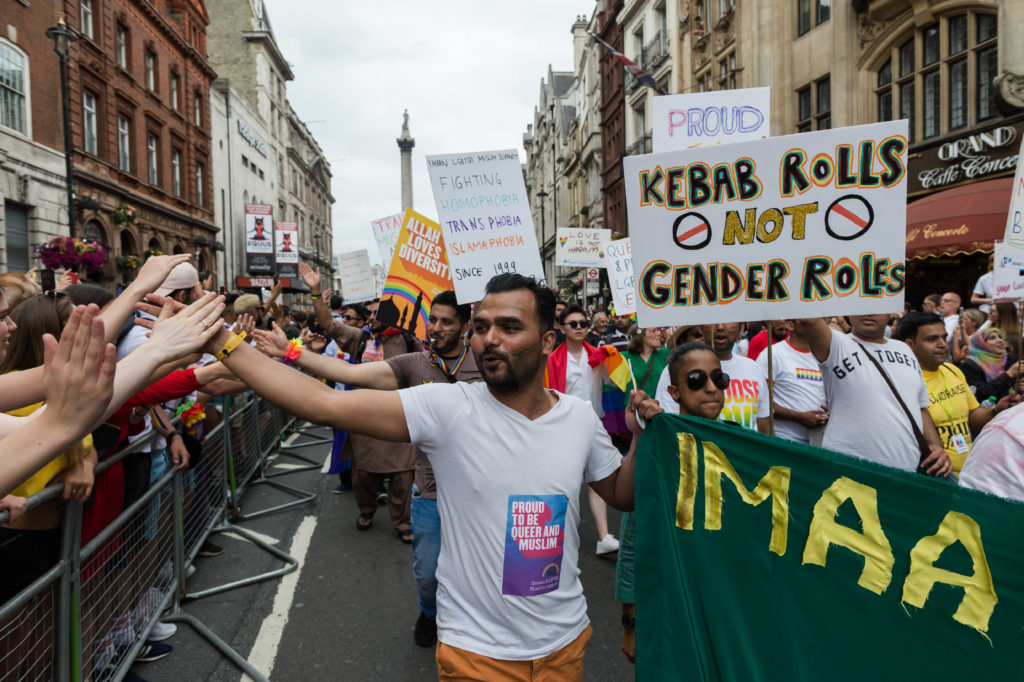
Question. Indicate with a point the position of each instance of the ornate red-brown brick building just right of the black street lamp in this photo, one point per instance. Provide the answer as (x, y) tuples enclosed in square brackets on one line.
[(140, 84)]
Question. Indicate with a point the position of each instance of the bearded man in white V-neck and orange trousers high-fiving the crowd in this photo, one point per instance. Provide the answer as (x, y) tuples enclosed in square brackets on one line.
[(509, 458)]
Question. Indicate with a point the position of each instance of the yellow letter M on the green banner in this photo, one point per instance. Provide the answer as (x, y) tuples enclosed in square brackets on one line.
[(775, 485)]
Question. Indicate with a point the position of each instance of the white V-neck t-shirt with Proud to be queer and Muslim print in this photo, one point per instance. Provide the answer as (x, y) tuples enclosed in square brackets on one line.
[(508, 577)]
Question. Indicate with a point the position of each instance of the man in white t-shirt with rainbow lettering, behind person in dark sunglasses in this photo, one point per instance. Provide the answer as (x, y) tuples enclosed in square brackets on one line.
[(747, 397)]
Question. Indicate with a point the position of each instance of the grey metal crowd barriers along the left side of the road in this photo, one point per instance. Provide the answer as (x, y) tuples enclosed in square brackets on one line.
[(89, 617)]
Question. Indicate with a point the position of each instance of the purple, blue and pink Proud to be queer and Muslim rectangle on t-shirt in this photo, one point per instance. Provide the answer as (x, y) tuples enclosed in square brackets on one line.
[(536, 532)]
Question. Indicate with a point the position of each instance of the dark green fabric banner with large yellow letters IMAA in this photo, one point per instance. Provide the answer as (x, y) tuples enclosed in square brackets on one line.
[(759, 559)]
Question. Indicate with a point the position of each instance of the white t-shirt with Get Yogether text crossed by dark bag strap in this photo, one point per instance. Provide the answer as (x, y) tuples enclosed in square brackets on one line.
[(866, 420)]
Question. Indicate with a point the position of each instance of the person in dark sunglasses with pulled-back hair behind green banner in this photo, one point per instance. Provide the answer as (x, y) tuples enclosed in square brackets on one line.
[(698, 388)]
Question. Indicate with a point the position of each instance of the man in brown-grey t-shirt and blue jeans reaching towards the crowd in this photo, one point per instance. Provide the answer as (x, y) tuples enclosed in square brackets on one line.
[(448, 361)]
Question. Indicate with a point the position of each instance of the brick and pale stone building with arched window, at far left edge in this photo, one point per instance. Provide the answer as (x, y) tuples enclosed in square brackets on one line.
[(32, 161)]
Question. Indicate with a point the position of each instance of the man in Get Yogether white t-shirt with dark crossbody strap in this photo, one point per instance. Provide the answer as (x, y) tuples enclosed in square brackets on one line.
[(866, 419)]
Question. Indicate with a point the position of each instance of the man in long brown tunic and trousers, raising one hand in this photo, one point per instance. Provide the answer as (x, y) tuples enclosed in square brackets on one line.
[(373, 460)]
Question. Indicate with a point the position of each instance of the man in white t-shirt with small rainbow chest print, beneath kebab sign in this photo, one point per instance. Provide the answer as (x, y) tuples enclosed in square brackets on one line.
[(800, 398)]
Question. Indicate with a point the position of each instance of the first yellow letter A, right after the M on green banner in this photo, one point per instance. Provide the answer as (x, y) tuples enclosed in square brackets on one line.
[(872, 544)]
